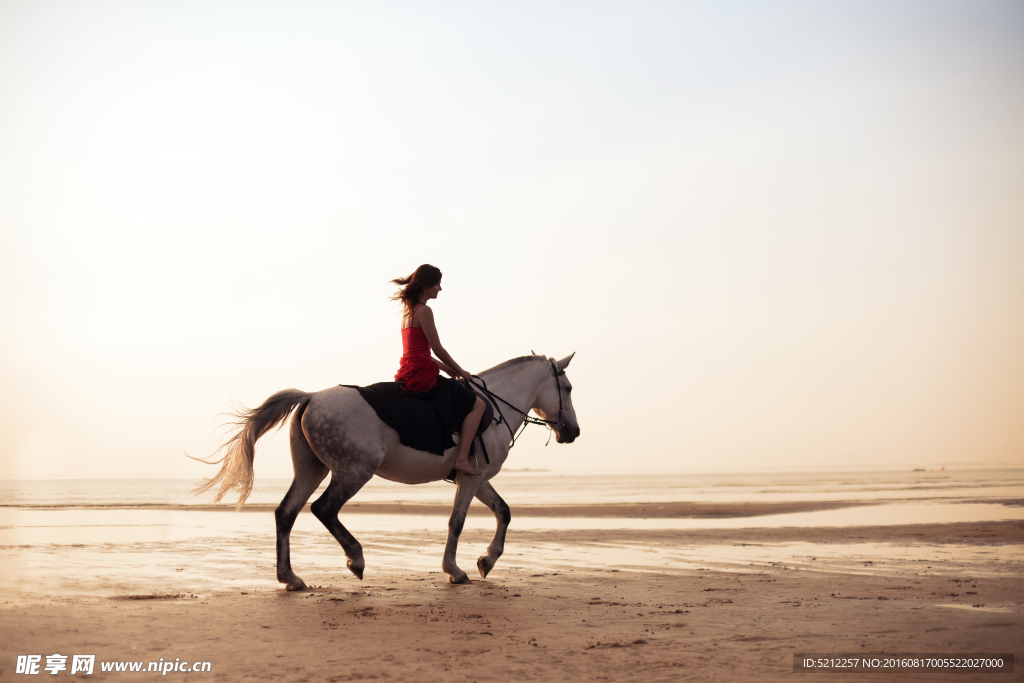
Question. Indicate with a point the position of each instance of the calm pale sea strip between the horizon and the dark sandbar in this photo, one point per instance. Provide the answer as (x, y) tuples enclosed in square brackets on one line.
[(543, 488)]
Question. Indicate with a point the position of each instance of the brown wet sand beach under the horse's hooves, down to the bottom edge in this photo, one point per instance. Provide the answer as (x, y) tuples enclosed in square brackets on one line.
[(572, 604)]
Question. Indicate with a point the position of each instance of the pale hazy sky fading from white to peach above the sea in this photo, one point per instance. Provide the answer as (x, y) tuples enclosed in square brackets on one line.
[(777, 235)]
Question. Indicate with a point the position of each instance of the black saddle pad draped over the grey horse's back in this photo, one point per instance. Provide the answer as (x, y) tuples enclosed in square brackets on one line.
[(428, 420)]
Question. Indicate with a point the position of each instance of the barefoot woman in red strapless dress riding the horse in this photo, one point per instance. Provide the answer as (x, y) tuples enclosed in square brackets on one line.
[(419, 372)]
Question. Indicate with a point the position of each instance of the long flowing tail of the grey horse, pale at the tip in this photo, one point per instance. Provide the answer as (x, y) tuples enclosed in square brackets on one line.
[(240, 450)]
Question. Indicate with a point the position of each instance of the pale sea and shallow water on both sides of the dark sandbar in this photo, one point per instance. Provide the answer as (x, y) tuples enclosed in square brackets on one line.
[(877, 497)]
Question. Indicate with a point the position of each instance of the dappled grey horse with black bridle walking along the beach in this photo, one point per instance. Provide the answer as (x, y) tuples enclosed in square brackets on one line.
[(336, 432)]
